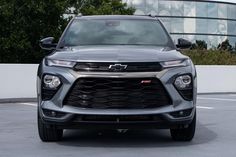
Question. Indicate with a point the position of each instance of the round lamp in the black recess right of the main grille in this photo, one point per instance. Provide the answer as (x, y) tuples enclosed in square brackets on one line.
[(183, 82)]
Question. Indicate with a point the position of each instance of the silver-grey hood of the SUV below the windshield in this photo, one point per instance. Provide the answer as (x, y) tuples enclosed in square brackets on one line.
[(116, 54)]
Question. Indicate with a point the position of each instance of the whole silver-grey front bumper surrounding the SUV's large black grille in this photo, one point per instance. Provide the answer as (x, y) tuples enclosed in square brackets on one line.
[(161, 117)]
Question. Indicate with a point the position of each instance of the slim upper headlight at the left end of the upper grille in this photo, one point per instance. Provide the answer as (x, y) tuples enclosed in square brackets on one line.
[(60, 63)]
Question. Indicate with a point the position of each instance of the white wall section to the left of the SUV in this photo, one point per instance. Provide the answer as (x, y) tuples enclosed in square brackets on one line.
[(18, 80)]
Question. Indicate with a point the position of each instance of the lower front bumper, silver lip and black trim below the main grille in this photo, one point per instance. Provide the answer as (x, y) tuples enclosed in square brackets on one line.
[(140, 121)]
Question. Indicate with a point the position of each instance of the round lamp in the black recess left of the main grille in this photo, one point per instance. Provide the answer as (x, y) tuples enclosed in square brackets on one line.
[(51, 81)]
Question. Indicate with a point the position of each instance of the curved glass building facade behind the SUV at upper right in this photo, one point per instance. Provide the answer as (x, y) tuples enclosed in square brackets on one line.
[(211, 21)]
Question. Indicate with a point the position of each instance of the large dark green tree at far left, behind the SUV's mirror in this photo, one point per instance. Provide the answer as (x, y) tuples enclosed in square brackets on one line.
[(23, 23)]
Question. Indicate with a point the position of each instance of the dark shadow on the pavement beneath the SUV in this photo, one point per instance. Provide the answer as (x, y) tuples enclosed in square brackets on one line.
[(132, 138)]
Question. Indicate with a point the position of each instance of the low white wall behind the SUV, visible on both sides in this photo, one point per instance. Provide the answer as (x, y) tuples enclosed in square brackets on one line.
[(19, 80)]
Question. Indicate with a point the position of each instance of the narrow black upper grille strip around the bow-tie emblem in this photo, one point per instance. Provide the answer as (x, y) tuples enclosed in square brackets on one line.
[(130, 67)]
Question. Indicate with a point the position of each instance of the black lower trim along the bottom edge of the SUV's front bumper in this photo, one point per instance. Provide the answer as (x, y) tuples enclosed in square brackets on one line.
[(160, 123)]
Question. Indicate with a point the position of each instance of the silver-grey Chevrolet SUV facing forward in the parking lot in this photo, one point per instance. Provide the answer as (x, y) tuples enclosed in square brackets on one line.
[(116, 72)]
